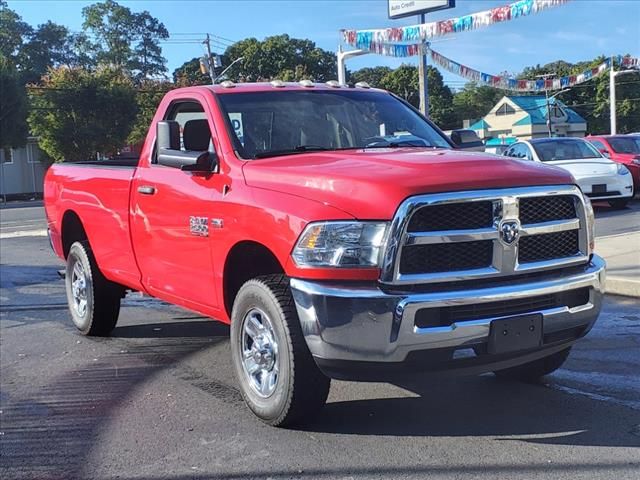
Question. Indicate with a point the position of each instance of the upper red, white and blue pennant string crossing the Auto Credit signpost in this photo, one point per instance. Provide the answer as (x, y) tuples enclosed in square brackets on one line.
[(378, 39)]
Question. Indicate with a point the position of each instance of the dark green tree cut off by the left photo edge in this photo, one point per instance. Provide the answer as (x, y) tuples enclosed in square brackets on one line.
[(13, 107)]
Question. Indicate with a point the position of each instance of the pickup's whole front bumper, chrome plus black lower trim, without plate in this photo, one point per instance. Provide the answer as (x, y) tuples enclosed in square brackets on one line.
[(363, 332)]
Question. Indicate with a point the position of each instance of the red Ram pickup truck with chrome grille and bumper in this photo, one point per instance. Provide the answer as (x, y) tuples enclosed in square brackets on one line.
[(338, 233)]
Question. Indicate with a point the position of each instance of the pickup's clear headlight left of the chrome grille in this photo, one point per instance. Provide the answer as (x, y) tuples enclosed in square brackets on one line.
[(340, 244)]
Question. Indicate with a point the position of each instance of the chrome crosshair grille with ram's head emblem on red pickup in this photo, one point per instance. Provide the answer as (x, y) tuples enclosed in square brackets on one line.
[(465, 235)]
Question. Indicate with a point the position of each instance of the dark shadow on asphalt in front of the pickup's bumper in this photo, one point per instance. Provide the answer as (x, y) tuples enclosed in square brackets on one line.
[(485, 406)]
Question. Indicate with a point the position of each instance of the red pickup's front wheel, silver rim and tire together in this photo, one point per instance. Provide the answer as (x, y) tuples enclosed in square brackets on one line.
[(278, 377)]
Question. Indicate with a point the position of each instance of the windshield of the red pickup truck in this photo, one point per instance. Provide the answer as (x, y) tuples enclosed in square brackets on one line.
[(271, 123)]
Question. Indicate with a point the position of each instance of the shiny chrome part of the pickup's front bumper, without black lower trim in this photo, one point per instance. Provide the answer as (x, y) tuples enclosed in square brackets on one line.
[(349, 323)]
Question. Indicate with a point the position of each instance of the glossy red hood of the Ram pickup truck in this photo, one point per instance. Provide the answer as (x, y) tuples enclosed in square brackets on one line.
[(370, 184)]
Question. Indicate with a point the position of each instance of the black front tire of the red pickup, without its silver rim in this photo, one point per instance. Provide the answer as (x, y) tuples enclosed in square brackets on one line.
[(300, 389)]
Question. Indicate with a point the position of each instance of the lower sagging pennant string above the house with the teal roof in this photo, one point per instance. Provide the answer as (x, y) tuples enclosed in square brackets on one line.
[(538, 85)]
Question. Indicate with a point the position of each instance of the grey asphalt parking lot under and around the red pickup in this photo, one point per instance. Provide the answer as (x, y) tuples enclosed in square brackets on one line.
[(158, 400)]
